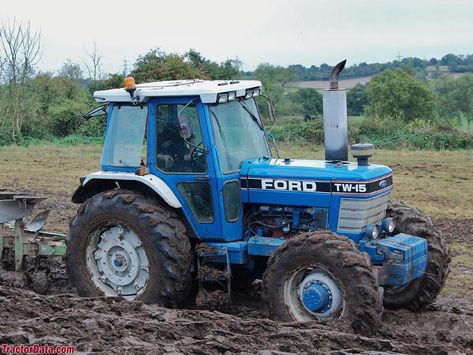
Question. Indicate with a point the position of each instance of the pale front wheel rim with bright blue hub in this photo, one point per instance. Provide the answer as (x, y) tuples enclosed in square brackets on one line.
[(313, 293)]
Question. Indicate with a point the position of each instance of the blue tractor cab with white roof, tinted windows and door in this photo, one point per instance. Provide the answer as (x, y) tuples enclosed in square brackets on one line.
[(191, 136)]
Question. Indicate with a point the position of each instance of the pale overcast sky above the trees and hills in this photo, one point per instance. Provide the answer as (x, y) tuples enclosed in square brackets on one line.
[(278, 31)]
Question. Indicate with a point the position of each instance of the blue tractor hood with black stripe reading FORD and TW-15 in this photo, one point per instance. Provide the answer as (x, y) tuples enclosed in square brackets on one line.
[(301, 179)]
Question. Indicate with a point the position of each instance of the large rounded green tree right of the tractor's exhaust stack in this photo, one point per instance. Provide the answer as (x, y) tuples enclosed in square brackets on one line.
[(398, 95)]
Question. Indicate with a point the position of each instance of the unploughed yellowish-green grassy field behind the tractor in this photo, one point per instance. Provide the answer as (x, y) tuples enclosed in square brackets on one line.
[(437, 182)]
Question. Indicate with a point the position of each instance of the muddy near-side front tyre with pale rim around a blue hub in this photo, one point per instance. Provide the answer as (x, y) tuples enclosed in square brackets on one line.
[(333, 259)]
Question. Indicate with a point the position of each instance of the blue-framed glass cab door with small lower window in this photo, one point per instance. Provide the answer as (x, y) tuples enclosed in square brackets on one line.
[(179, 155)]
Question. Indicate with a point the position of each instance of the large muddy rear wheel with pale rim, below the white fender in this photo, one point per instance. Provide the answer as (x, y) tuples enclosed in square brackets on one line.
[(141, 243)]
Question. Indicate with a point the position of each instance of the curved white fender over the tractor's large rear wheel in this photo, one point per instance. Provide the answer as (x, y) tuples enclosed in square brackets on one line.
[(100, 181)]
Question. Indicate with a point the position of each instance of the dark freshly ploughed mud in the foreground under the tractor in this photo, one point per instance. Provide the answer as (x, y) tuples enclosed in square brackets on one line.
[(215, 326)]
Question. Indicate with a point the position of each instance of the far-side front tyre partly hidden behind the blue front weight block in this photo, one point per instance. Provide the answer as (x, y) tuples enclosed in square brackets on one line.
[(424, 290)]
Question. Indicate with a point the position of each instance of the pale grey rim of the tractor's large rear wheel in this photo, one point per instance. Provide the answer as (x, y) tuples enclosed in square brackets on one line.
[(117, 262)]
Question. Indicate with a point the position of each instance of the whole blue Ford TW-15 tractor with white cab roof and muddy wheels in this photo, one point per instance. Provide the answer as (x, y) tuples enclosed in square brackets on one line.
[(190, 194)]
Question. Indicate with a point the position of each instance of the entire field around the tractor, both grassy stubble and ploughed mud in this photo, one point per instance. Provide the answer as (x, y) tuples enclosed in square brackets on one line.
[(241, 325)]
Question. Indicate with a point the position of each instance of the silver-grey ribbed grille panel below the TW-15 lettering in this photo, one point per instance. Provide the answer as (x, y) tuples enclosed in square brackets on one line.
[(357, 213)]
